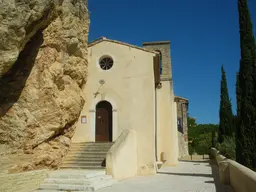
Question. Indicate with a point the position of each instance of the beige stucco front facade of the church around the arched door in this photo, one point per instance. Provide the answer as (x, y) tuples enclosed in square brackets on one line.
[(129, 87)]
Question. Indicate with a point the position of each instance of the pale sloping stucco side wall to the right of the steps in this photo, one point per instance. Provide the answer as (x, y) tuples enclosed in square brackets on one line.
[(121, 161)]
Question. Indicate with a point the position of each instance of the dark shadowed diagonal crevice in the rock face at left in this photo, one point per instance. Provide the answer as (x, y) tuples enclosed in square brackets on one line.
[(13, 82)]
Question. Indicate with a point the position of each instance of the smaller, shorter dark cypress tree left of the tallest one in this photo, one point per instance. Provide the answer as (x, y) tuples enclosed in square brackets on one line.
[(225, 113)]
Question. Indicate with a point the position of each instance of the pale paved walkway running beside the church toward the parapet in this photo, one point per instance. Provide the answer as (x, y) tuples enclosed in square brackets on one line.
[(188, 176)]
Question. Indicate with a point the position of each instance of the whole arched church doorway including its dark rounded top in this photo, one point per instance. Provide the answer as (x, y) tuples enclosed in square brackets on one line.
[(103, 122)]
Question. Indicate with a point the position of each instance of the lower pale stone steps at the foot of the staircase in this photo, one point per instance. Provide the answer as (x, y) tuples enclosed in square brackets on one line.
[(70, 180)]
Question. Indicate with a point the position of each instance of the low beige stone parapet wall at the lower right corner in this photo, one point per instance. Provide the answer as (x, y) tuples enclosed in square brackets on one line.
[(239, 177)]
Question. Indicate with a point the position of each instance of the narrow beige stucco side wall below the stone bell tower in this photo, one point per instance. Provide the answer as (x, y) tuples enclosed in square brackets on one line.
[(167, 134)]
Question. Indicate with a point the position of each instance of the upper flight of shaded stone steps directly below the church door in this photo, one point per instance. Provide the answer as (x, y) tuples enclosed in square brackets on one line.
[(86, 156)]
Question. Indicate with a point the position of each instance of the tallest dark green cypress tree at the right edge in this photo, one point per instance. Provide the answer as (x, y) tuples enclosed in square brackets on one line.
[(246, 90)]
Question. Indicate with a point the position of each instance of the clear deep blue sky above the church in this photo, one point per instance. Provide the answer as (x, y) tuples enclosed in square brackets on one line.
[(204, 34)]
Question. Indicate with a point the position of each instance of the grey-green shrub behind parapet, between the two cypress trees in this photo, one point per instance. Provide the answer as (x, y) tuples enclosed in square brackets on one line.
[(228, 147)]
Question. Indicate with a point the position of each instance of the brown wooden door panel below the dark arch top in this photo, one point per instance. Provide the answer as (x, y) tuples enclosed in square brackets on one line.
[(102, 124)]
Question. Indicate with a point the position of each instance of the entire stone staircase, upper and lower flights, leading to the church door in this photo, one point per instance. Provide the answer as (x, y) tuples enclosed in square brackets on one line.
[(83, 169)]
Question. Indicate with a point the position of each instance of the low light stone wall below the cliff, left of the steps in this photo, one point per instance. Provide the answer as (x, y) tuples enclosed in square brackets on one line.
[(22, 182)]
